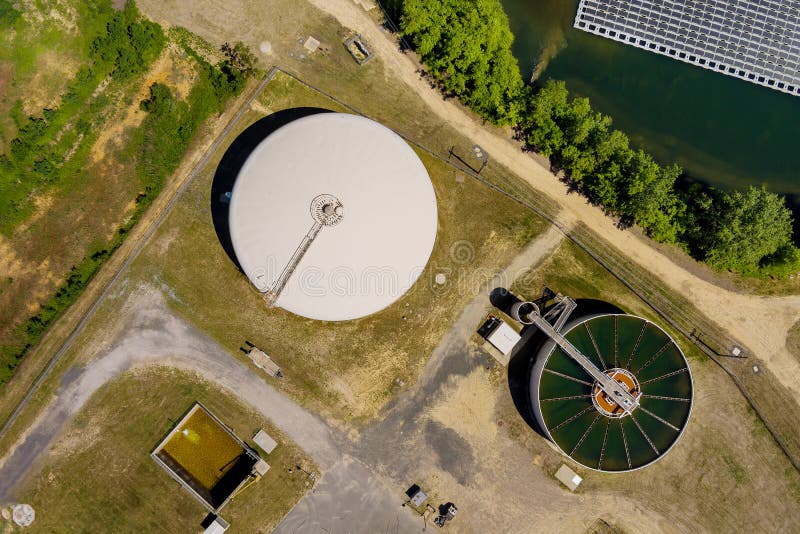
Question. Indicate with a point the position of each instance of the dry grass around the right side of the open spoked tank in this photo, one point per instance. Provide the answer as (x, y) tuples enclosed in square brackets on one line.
[(725, 461)]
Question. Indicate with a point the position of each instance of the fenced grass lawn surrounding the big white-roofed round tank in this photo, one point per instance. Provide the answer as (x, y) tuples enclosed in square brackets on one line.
[(351, 369)]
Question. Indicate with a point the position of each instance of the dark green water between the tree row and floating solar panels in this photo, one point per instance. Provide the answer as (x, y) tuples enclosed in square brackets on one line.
[(721, 130)]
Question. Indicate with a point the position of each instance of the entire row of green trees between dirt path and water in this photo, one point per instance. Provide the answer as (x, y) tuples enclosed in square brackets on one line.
[(467, 46)]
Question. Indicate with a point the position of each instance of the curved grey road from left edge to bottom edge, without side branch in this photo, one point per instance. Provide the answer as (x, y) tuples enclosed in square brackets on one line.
[(348, 497)]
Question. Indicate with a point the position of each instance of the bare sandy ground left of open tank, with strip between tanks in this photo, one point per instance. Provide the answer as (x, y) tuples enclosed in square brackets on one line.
[(446, 438)]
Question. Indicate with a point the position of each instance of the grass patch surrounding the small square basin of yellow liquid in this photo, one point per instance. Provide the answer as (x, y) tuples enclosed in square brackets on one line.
[(99, 477)]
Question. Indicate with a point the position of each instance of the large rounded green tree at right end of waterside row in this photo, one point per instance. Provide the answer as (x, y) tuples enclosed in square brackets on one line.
[(746, 227)]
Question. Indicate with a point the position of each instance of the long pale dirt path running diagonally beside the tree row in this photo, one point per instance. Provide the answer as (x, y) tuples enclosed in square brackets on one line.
[(760, 323)]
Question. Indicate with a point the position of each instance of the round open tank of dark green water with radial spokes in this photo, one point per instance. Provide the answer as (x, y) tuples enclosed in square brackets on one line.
[(585, 423)]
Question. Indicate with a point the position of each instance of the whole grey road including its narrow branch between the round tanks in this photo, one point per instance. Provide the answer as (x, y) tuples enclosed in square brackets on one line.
[(348, 498)]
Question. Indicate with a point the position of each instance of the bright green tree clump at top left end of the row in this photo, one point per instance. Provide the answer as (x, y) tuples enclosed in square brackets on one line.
[(467, 45)]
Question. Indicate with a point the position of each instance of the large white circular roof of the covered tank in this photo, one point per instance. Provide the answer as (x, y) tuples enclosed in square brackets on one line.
[(368, 247)]
